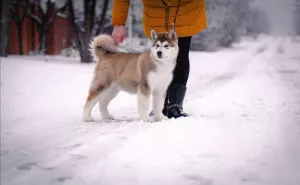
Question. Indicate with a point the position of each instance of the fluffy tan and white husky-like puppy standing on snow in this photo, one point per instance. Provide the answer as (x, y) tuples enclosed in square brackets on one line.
[(145, 74)]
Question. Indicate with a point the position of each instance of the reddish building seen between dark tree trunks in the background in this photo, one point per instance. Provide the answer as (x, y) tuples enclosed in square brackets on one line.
[(58, 36)]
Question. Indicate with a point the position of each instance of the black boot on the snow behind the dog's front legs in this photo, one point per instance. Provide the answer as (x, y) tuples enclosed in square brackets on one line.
[(174, 100)]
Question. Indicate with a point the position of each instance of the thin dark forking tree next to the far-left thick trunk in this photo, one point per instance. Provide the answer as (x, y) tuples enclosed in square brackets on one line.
[(18, 17)]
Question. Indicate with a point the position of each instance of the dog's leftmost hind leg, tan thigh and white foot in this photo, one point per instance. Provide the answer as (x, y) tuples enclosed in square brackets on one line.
[(99, 84)]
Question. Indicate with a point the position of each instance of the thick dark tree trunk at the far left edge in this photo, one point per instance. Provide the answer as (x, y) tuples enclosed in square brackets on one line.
[(4, 27)]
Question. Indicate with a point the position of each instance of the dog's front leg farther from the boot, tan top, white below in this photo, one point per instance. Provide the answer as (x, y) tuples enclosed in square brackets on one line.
[(144, 102)]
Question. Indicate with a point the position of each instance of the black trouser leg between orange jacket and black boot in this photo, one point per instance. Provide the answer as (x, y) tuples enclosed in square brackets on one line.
[(182, 69)]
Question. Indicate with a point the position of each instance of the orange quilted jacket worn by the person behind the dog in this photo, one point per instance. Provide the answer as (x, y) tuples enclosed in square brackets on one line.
[(191, 16)]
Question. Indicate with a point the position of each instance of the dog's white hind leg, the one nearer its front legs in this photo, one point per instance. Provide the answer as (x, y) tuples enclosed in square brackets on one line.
[(104, 99)]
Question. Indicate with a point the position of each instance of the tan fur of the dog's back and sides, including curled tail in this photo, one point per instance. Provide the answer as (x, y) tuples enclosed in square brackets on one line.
[(128, 70)]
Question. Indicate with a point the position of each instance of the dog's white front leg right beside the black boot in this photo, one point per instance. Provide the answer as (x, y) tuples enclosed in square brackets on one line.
[(158, 104)]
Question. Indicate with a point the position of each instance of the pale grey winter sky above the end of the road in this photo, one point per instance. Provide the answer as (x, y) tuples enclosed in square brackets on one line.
[(280, 13)]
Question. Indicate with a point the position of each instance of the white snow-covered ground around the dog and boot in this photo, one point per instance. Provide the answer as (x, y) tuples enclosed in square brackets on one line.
[(244, 126)]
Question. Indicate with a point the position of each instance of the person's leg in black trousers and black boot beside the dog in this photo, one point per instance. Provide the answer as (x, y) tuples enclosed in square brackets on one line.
[(176, 91)]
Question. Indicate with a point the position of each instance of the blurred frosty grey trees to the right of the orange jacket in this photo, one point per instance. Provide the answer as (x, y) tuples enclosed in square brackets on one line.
[(229, 21)]
